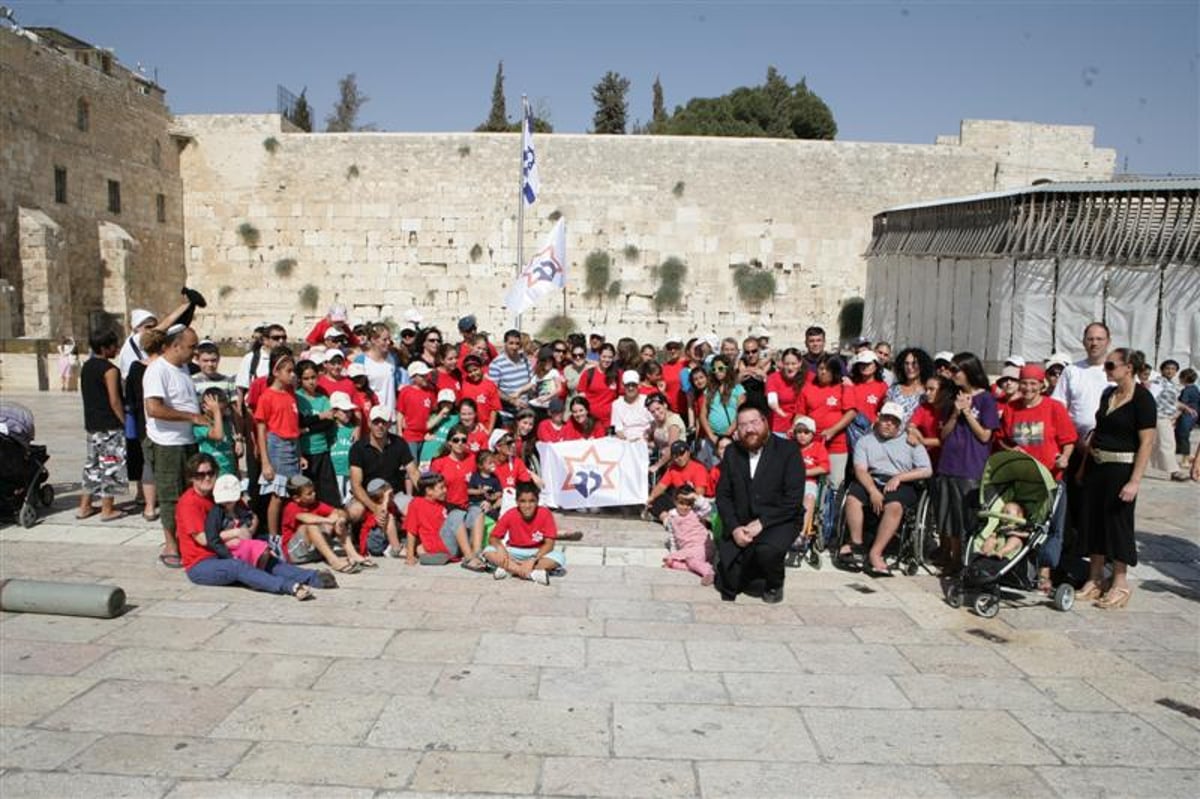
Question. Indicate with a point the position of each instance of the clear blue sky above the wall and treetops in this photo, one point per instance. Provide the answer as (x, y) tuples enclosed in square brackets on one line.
[(891, 71)]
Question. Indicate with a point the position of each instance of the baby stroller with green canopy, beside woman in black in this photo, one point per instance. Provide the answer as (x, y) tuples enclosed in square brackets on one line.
[(1010, 478)]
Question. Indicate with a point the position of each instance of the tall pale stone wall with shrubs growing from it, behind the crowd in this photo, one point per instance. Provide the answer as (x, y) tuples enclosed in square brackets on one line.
[(387, 221)]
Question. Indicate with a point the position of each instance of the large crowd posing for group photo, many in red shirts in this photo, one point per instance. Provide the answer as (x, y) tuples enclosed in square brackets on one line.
[(351, 446)]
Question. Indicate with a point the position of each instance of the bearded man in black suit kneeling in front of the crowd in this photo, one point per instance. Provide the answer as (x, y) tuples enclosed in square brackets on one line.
[(759, 497)]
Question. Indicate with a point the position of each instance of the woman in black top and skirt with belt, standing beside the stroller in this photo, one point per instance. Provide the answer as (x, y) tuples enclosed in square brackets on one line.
[(1120, 448)]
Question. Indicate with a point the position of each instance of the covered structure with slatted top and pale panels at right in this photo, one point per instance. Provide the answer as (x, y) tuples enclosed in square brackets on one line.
[(1024, 272)]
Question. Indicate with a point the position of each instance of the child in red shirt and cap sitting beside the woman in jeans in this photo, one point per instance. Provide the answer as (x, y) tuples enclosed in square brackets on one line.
[(308, 522)]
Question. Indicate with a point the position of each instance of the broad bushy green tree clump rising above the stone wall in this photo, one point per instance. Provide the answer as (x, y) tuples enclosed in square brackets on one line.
[(775, 110)]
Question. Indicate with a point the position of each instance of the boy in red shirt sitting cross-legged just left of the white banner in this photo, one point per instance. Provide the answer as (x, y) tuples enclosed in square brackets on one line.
[(523, 542)]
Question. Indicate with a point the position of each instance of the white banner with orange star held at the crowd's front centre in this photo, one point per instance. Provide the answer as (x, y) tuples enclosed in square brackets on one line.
[(595, 473)]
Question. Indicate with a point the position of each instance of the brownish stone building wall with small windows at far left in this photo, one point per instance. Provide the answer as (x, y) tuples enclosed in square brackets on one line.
[(127, 141)]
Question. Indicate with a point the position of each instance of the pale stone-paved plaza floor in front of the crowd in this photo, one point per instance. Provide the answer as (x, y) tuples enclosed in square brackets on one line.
[(622, 680)]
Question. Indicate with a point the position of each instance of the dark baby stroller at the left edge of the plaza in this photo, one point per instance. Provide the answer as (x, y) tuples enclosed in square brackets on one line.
[(23, 474)]
